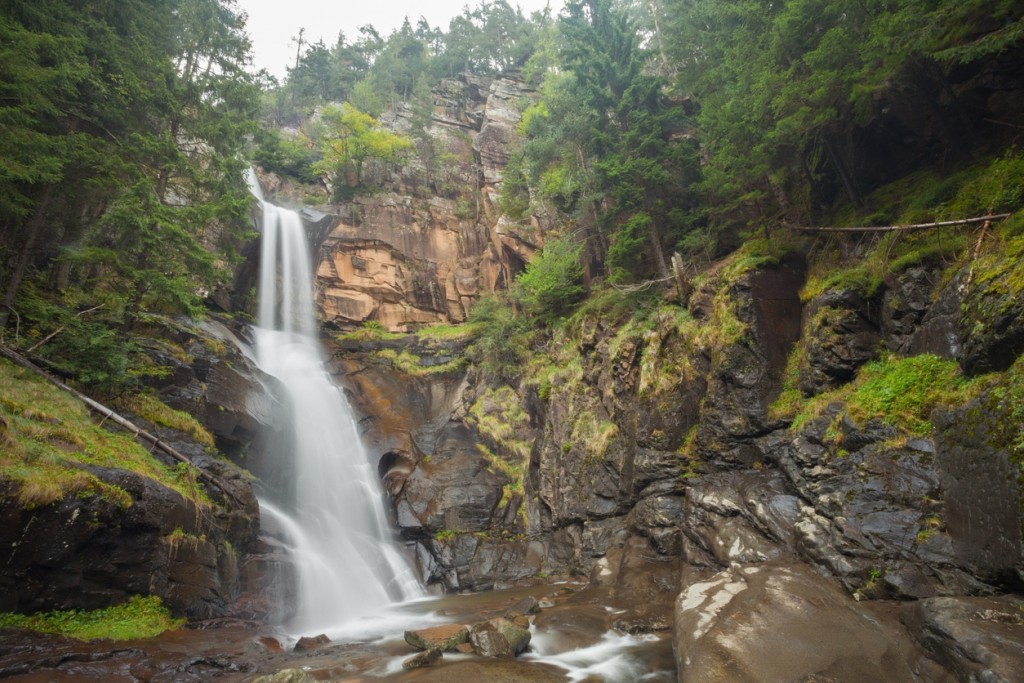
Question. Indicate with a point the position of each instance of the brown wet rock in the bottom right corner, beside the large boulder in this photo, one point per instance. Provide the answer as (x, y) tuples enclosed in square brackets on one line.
[(979, 639)]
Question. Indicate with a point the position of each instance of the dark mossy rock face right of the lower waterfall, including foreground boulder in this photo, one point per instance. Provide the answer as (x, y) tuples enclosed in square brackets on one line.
[(651, 461)]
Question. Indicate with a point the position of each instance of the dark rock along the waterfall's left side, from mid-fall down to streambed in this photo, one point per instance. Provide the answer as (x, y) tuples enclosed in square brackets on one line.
[(88, 553)]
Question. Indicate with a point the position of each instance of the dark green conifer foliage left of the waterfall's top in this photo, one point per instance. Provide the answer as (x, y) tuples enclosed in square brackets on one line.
[(122, 127)]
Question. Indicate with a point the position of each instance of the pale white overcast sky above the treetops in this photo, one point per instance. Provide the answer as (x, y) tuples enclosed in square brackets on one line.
[(273, 24)]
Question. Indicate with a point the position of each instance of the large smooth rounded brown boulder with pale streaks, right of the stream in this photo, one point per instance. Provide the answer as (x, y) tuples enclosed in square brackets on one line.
[(773, 623)]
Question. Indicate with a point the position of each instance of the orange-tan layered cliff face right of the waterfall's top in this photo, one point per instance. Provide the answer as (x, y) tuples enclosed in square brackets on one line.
[(430, 243)]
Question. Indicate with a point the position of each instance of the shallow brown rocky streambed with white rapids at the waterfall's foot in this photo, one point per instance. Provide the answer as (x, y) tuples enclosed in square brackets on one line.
[(567, 635)]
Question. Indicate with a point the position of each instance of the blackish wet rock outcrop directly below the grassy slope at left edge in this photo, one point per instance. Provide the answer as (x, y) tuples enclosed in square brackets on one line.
[(89, 553)]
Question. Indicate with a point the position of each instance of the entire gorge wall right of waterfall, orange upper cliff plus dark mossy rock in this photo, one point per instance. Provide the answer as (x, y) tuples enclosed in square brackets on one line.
[(656, 454)]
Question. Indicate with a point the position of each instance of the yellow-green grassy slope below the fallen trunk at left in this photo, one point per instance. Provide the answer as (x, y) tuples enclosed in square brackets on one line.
[(47, 436)]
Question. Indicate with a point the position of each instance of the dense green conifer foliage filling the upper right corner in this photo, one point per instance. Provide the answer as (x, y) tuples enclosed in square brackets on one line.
[(797, 98)]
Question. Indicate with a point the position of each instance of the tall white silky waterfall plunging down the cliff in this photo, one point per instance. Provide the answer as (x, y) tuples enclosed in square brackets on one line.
[(348, 566)]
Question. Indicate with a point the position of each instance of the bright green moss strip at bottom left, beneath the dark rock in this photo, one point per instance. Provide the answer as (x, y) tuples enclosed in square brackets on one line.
[(140, 618)]
